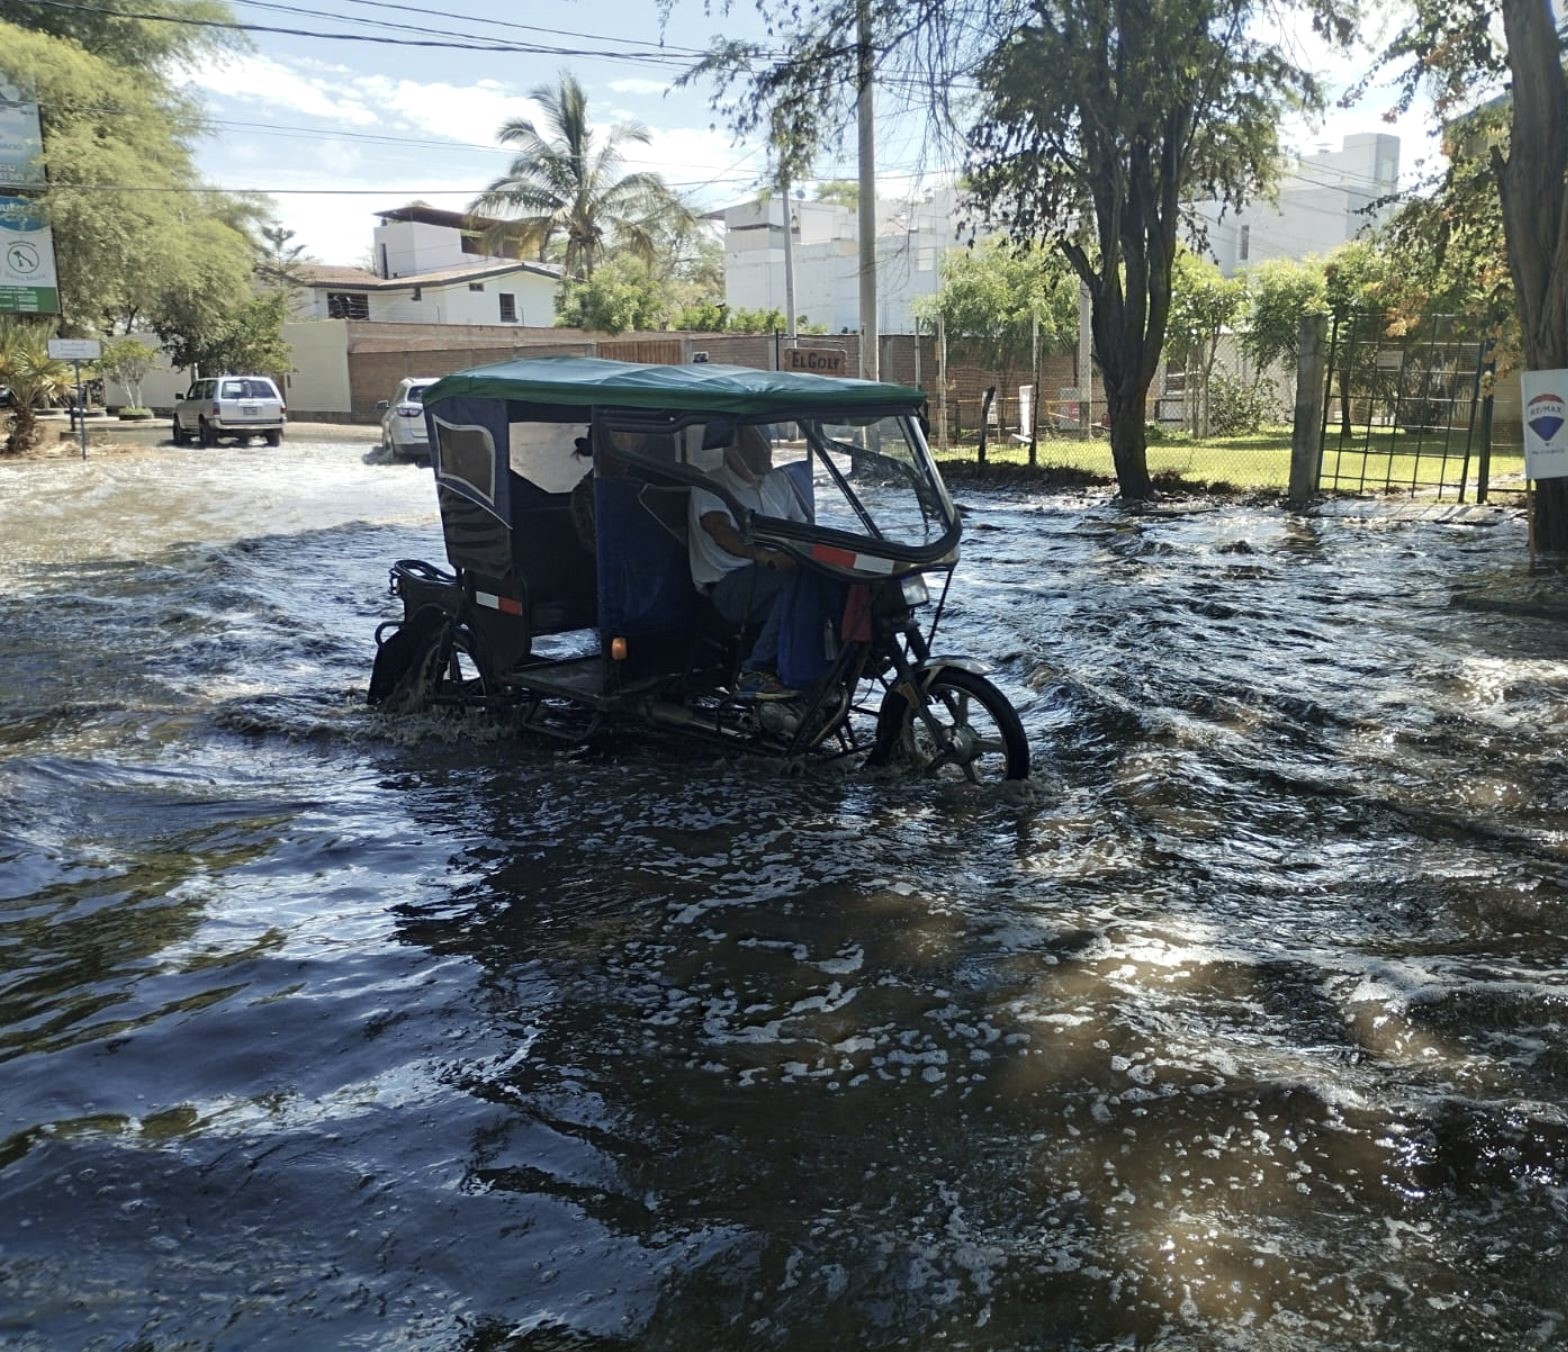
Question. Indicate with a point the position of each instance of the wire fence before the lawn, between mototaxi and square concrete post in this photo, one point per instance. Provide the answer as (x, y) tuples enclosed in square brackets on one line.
[(1214, 416)]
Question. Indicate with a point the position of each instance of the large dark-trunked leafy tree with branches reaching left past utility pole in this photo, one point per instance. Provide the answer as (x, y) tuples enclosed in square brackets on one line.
[(1092, 125)]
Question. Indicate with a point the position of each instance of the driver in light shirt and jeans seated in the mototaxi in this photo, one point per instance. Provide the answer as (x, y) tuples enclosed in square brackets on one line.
[(747, 583)]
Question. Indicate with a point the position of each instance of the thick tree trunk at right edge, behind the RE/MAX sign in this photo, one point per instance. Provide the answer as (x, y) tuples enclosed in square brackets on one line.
[(1536, 216)]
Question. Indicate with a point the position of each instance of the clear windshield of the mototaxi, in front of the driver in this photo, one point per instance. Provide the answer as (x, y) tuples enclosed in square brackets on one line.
[(871, 478)]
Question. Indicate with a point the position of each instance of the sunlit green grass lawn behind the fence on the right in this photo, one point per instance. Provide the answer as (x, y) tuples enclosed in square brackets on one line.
[(1261, 462)]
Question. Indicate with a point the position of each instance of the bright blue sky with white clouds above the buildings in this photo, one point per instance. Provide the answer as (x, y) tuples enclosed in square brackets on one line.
[(341, 129)]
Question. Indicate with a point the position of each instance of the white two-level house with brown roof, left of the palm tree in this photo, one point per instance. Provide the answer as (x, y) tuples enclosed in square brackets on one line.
[(434, 269)]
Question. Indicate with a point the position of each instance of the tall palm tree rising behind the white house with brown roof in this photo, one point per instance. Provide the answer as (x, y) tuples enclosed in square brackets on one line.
[(562, 184)]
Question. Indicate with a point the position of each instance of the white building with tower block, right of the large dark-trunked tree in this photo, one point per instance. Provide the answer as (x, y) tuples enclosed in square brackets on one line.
[(1326, 200)]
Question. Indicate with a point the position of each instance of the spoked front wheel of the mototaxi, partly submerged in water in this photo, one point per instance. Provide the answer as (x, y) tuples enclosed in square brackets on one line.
[(978, 735)]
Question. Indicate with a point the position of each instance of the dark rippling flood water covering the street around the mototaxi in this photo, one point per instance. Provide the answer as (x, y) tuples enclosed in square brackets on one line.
[(1246, 1028)]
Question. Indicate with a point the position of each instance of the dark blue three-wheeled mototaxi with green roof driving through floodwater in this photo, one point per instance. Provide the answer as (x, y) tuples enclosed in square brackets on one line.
[(565, 495)]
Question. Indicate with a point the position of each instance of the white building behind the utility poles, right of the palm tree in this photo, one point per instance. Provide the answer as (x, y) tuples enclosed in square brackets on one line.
[(910, 238)]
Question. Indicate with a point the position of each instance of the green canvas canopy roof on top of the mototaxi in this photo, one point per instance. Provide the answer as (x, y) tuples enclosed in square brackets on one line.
[(700, 388)]
